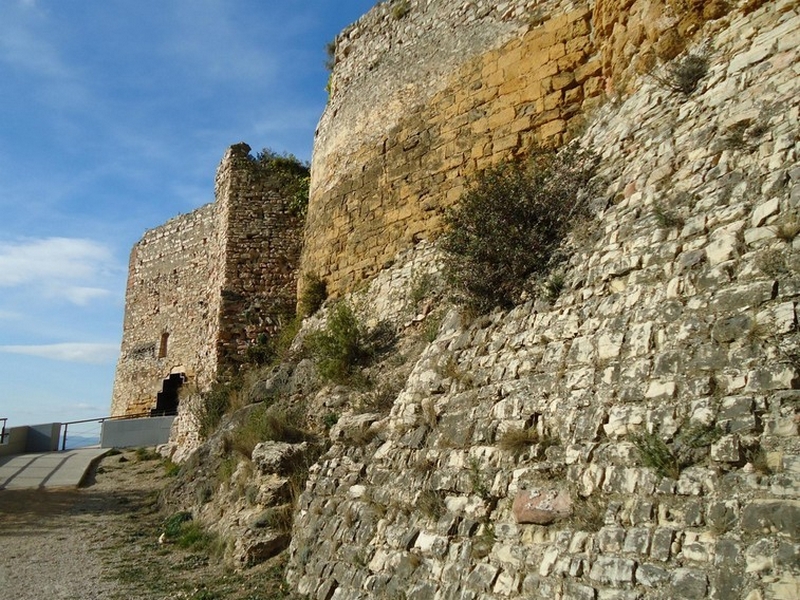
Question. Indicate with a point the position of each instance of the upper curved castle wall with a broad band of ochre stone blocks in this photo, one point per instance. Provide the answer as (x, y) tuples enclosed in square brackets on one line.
[(423, 99)]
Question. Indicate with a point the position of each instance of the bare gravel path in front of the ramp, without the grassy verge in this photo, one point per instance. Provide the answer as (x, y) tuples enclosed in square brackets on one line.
[(51, 541)]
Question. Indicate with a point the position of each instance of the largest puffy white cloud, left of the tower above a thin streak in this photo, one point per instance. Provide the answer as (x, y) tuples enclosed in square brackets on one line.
[(68, 268)]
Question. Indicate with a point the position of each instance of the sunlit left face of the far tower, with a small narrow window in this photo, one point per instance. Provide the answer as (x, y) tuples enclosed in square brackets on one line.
[(174, 276)]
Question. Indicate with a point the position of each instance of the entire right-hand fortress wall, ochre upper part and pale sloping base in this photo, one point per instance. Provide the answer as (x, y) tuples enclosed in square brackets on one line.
[(684, 332)]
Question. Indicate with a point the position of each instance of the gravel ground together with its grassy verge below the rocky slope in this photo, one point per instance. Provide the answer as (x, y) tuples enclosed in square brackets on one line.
[(102, 542)]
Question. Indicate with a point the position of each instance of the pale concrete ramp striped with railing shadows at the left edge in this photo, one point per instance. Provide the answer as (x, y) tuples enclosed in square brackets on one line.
[(47, 469)]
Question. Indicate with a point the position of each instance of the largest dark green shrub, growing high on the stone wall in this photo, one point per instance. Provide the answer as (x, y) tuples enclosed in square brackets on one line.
[(509, 225)]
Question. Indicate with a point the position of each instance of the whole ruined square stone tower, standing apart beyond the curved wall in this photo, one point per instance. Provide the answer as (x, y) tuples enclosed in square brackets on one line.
[(205, 286)]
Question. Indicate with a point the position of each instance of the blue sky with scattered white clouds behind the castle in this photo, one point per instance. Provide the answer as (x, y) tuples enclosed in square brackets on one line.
[(113, 117)]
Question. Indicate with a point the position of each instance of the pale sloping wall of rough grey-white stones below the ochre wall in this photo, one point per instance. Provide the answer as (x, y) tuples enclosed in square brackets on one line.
[(678, 319)]
